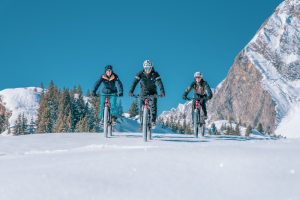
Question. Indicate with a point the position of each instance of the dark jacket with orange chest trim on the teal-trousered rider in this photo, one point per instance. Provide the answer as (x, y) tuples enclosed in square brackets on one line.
[(110, 84)]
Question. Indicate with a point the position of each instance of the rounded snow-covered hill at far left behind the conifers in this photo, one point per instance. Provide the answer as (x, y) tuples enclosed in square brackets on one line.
[(21, 100)]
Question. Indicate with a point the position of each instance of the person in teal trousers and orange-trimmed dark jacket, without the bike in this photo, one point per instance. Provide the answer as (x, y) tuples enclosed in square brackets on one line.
[(113, 87)]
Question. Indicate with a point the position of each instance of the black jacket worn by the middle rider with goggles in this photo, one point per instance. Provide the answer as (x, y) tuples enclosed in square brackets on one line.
[(148, 83)]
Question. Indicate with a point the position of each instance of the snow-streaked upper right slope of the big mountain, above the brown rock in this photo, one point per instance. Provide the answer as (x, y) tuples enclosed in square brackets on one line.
[(275, 52)]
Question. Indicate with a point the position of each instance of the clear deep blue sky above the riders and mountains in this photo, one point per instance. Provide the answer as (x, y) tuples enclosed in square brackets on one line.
[(70, 41)]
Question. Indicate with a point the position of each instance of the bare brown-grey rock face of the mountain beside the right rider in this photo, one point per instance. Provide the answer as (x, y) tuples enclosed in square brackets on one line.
[(240, 97)]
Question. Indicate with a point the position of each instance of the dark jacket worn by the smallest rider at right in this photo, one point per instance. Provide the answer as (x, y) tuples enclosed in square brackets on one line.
[(201, 89)]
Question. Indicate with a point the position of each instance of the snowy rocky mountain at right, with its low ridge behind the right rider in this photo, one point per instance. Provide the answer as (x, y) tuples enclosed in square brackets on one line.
[(263, 85)]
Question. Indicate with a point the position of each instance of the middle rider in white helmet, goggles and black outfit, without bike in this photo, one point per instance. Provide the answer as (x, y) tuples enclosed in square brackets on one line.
[(148, 79)]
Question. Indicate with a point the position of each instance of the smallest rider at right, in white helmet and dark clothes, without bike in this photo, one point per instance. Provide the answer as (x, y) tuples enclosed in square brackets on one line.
[(201, 91)]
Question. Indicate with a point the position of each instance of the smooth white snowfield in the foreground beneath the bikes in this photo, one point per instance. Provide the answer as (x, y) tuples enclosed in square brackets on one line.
[(87, 166)]
